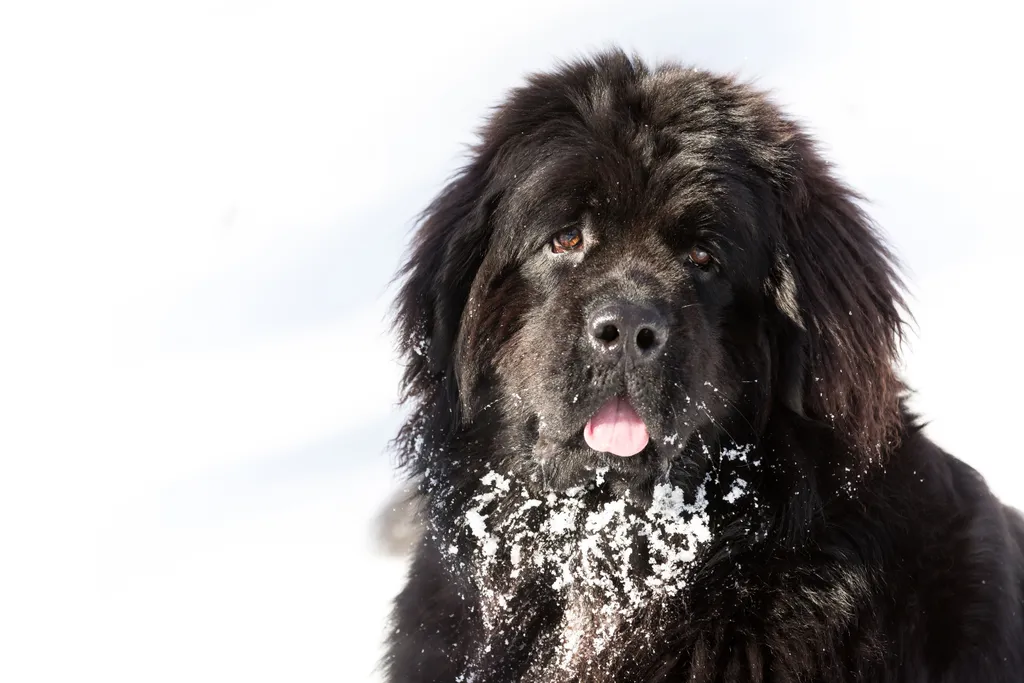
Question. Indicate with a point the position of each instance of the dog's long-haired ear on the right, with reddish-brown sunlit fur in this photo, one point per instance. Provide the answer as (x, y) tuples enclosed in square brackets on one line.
[(840, 294)]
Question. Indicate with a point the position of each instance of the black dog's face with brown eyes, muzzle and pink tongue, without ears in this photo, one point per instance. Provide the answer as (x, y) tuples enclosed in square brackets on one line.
[(630, 304)]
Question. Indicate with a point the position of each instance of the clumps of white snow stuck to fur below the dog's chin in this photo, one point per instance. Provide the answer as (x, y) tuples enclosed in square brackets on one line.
[(587, 554)]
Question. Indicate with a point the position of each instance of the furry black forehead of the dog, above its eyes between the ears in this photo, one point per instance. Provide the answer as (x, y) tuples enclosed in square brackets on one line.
[(672, 150)]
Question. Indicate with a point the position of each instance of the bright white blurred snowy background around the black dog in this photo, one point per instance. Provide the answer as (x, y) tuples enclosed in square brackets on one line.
[(202, 205)]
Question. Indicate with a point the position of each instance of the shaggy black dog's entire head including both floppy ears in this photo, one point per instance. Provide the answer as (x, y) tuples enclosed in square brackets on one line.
[(635, 265)]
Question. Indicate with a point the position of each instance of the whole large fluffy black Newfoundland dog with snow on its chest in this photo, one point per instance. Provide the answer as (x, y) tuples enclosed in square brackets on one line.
[(656, 422)]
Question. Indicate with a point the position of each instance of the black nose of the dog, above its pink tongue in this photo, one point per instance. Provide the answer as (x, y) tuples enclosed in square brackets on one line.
[(627, 329)]
